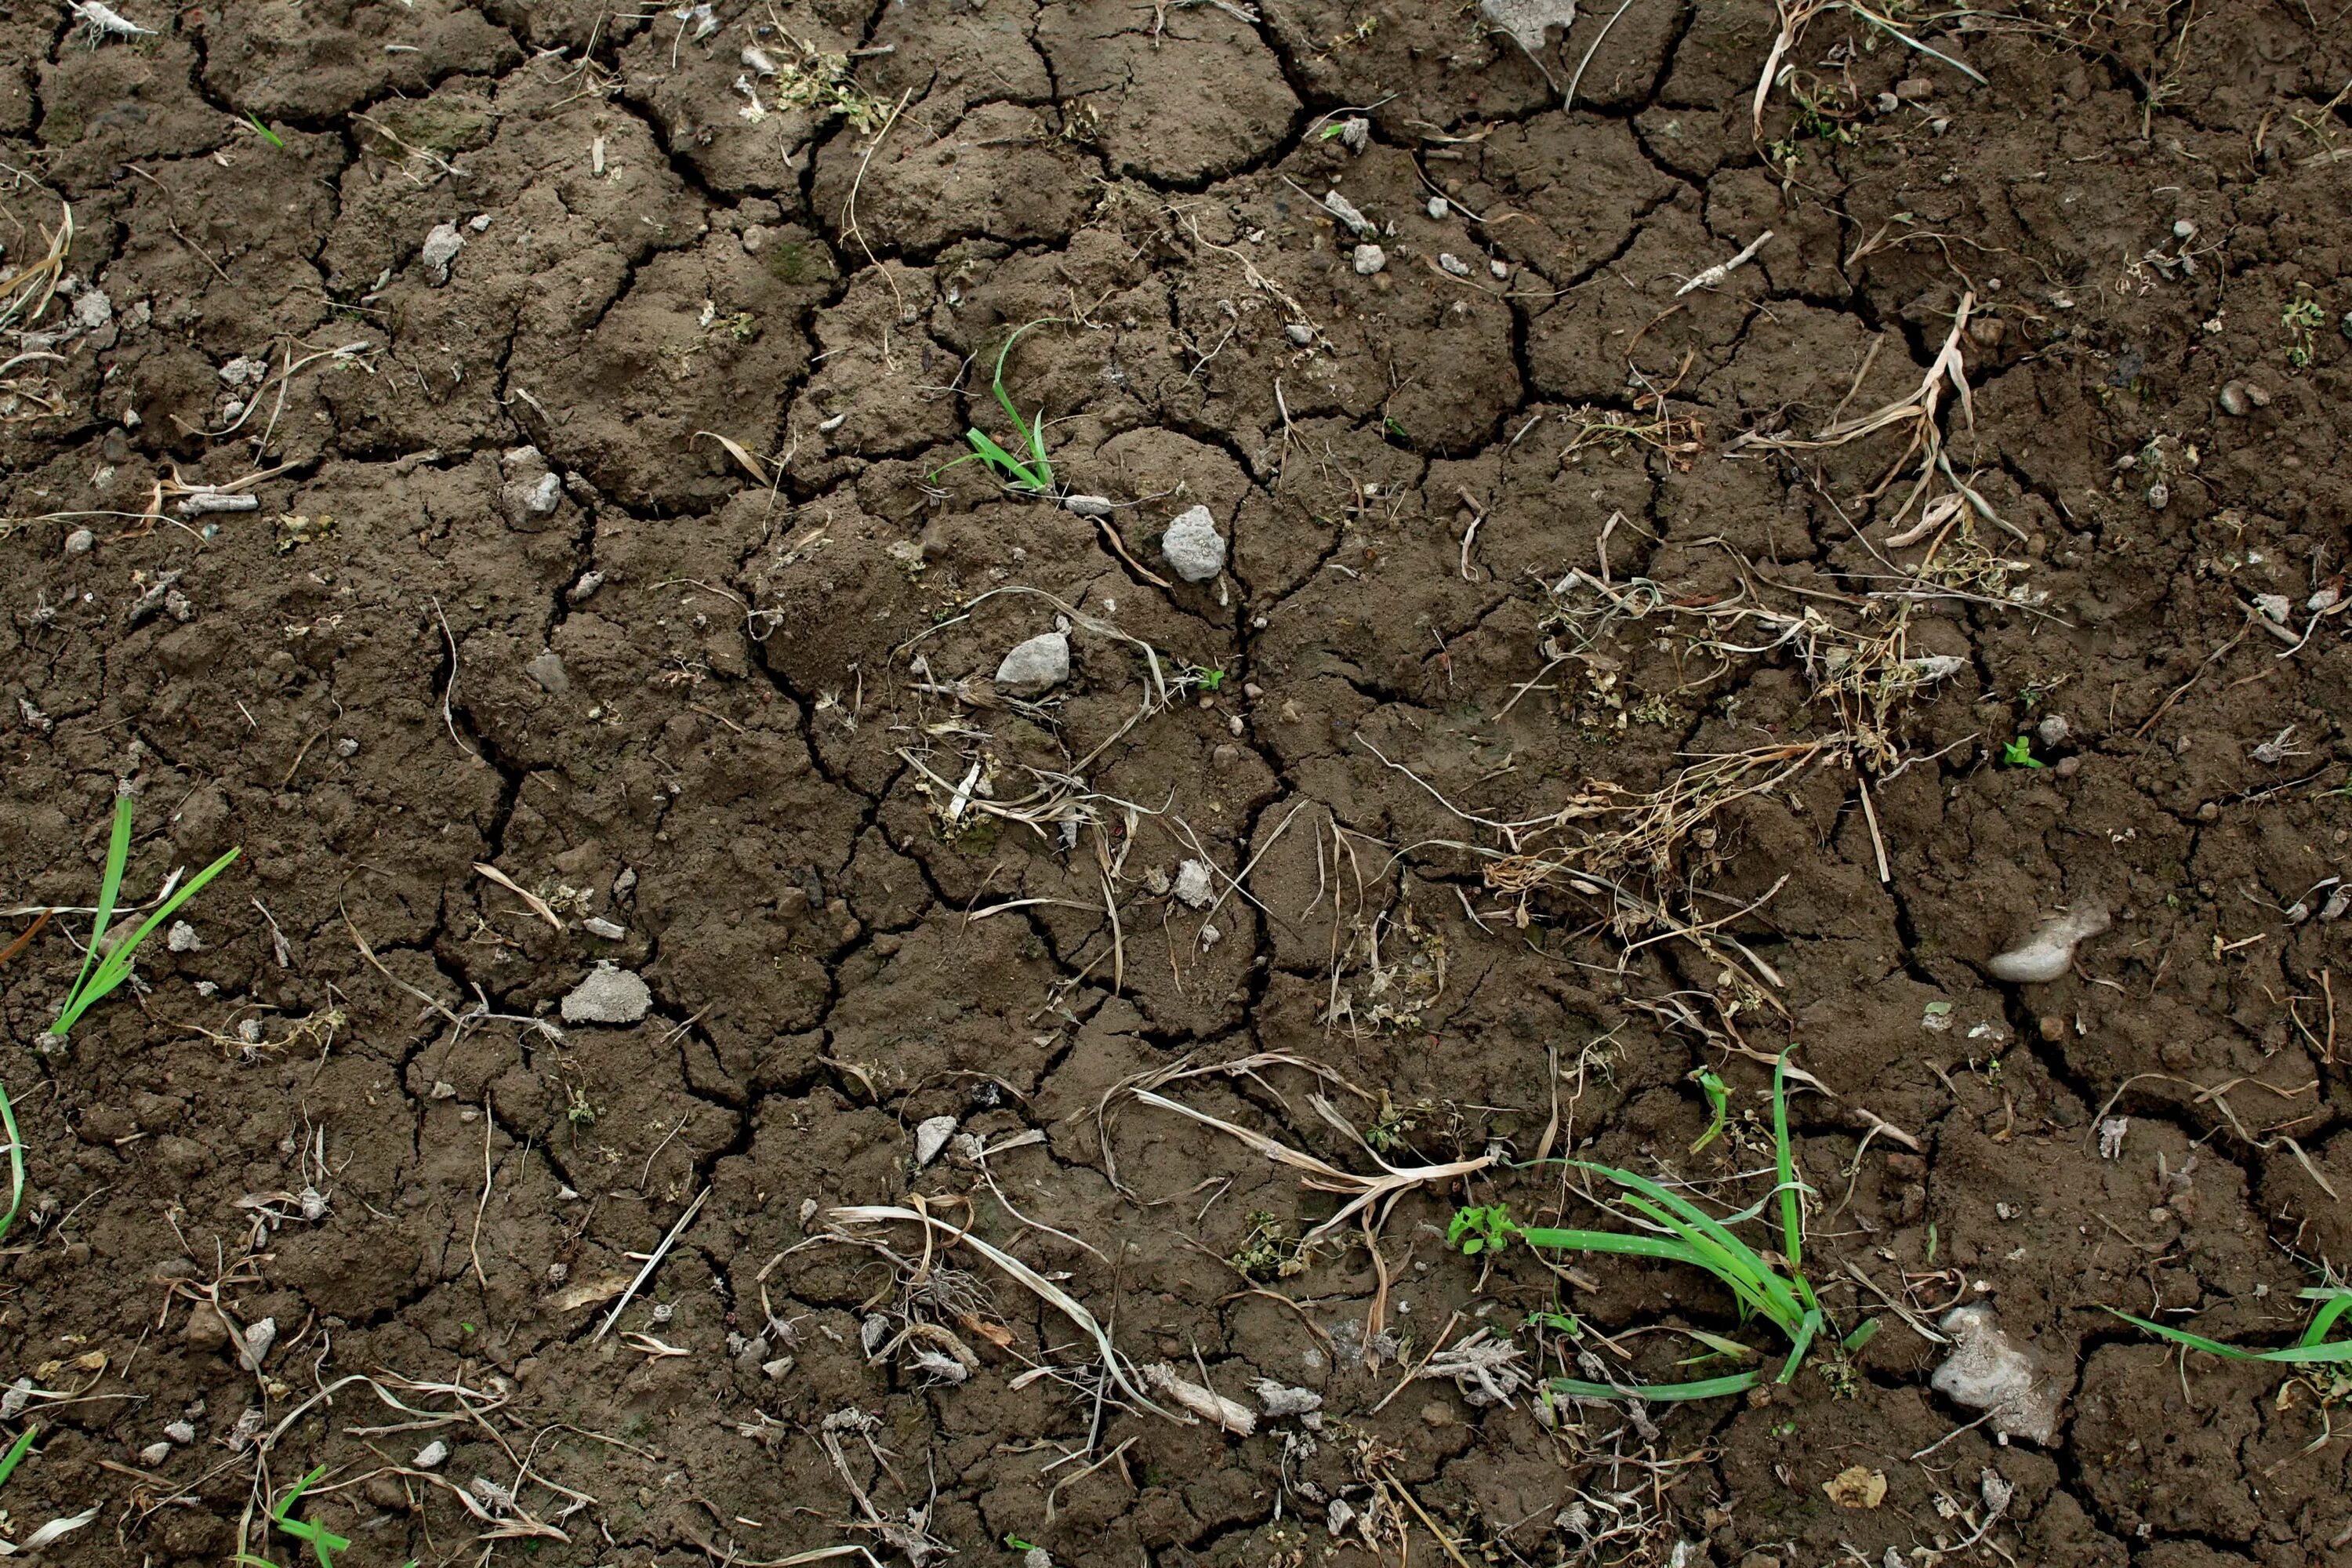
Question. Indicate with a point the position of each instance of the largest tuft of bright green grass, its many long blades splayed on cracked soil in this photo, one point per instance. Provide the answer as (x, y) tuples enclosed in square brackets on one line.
[(1676, 1231)]
